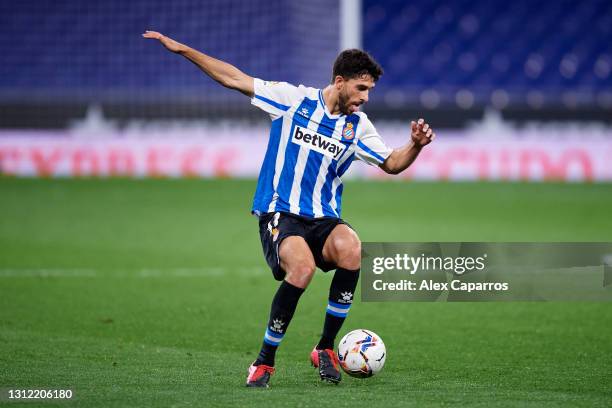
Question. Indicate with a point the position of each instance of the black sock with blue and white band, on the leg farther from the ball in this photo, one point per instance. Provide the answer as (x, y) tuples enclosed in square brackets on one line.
[(283, 306)]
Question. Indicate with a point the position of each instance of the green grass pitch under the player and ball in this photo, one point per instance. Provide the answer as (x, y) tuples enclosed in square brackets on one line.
[(155, 293)]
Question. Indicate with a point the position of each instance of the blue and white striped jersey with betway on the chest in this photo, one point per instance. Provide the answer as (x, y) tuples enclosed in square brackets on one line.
[(309, 150)]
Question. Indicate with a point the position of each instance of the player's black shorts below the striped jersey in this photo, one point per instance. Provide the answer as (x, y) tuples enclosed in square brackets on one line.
[(274, 227)]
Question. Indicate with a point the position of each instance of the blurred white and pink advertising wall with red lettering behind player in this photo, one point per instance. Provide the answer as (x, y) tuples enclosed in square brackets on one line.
[(491, 149)]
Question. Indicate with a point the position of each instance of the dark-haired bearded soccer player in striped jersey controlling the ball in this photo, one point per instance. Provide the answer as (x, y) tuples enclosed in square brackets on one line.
[(315, 136)]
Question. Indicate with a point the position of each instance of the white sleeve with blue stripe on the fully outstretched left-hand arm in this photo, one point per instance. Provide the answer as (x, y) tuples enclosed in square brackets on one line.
[(274, 97)]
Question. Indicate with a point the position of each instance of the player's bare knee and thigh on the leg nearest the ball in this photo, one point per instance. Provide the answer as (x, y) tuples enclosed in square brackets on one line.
[(343, 247)]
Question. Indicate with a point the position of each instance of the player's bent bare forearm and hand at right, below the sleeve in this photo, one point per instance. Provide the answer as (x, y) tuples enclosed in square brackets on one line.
[(400, 159)]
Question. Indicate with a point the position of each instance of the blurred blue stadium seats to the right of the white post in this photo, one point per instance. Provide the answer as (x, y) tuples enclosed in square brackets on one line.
[(487, 48)]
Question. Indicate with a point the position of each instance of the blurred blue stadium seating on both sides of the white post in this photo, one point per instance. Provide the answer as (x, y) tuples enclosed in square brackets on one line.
[(433, 52)]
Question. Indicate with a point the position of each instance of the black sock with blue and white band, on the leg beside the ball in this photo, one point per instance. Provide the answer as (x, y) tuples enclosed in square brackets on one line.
[(341, 294)]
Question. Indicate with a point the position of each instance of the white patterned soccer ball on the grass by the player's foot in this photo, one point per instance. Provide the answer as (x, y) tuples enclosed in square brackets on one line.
[(362, 353)]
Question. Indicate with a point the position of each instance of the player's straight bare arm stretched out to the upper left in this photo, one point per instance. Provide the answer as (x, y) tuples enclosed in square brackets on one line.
[(222, 72)]
